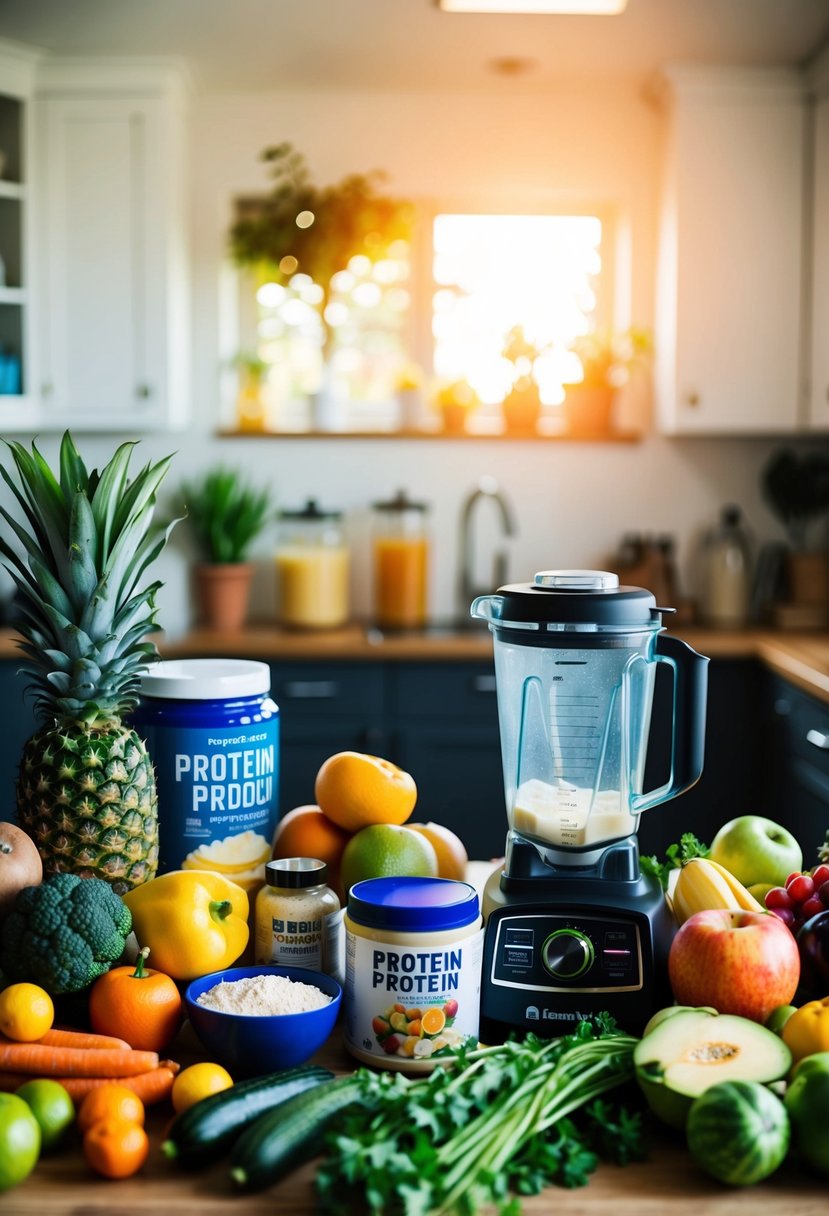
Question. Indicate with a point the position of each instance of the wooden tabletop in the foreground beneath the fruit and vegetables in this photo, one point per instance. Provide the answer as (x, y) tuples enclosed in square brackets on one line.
[(668, 1181)]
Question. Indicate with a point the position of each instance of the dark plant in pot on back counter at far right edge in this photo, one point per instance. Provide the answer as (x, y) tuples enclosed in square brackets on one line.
[(797, 489)]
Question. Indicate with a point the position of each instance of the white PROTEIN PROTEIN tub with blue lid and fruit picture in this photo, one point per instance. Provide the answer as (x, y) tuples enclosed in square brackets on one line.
[(413, 971)]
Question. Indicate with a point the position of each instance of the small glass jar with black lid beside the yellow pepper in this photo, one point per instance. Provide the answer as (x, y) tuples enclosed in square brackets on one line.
[(298, 921)]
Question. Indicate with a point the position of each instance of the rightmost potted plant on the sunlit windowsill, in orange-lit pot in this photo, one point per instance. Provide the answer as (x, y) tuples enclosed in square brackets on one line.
[(607, 362)]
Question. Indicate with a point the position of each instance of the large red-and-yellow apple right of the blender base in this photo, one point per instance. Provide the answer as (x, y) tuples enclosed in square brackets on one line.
[(740, 962)]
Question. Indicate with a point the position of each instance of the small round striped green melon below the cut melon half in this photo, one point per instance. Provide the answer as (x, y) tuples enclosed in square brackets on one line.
[(738, 1133)]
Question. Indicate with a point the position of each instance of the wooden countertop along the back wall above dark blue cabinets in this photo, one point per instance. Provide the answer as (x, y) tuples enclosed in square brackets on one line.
[(803, 658)]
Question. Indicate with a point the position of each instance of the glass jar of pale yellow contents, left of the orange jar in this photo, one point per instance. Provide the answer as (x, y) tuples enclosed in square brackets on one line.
[(312, 568)]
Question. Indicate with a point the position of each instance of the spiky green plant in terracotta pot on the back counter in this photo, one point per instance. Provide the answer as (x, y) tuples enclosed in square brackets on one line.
[(227, 515)]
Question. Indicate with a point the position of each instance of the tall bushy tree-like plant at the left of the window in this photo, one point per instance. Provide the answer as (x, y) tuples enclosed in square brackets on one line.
[(301, 228)]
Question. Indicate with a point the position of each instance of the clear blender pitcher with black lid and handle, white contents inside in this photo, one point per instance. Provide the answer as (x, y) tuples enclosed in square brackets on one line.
[(576, 662)]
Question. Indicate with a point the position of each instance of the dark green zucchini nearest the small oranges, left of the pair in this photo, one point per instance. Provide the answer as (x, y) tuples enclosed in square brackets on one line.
[(208, 1129)]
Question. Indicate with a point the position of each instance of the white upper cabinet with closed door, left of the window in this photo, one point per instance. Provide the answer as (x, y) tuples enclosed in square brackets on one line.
[(111, 317)]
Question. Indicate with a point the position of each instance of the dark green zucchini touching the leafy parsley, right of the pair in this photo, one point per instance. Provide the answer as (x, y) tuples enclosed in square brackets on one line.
[(290, 1134)]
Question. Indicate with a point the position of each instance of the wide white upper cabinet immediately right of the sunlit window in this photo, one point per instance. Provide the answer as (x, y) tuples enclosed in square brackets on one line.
[(730, 303)]
